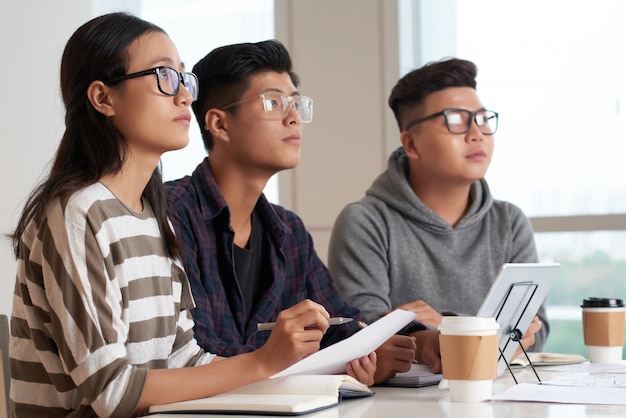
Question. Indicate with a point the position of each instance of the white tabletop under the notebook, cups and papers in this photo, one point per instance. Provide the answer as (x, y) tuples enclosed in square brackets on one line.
[(432, 402)]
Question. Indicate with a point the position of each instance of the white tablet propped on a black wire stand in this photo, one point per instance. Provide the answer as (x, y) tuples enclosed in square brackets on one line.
[(514, 299)]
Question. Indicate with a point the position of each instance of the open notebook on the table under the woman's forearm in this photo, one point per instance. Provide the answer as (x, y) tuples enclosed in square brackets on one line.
[(289, 395)]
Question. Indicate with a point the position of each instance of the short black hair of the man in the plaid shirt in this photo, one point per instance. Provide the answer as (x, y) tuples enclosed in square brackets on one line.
[(224, 74)]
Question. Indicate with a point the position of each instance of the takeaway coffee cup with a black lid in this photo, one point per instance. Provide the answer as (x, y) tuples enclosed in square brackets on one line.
[(603, 329)]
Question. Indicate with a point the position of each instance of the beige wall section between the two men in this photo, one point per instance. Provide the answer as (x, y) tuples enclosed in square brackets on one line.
[(346, 53)]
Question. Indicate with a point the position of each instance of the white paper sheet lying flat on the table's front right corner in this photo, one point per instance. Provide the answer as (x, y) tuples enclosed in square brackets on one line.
[(563, 394)]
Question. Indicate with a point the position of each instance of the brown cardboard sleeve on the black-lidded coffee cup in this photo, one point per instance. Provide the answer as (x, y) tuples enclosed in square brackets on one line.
[(603, 329)]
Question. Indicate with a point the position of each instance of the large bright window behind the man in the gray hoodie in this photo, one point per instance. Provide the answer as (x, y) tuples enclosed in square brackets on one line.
[(555, 73)]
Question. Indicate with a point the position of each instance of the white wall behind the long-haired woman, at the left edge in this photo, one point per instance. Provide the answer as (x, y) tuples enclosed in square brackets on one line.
[(32, 34)]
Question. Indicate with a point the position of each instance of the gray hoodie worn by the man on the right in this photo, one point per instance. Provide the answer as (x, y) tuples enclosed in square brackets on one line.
[(388, 249)]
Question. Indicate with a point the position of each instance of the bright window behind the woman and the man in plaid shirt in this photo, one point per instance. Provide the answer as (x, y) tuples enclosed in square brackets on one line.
[(197, 27)]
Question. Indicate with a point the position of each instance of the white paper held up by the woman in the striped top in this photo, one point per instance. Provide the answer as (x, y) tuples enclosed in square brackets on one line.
[(333, 359)]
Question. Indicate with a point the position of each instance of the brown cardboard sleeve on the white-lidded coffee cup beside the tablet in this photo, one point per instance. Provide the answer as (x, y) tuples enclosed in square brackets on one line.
[(465, 357)]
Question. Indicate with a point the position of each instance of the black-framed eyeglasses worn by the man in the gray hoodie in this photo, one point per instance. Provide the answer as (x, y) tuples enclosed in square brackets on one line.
[(459, 121)]
